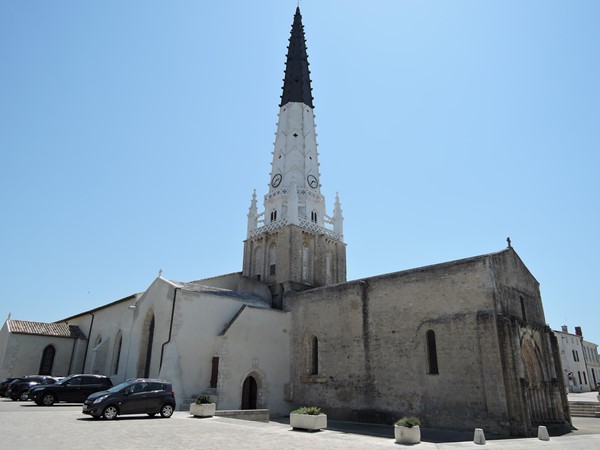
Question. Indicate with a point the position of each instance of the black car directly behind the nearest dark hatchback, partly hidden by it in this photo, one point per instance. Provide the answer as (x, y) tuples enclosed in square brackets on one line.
[(73, 389)]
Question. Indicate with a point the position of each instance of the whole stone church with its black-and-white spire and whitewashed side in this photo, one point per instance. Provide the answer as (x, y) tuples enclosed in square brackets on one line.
[(460, 344)]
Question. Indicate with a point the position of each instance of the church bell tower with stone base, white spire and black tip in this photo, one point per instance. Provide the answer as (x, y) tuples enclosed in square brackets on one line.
[(293, 244)]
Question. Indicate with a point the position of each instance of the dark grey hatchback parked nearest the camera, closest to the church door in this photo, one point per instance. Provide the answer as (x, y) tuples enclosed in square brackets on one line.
[(139, 396)]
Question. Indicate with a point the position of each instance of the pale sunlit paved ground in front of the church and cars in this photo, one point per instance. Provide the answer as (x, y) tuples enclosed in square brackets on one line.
[(27, 426)]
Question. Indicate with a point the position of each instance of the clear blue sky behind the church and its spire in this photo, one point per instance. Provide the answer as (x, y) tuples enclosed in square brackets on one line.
[(132, 134)]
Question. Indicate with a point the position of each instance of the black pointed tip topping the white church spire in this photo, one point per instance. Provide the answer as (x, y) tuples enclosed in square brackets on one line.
[(296, 84)]
